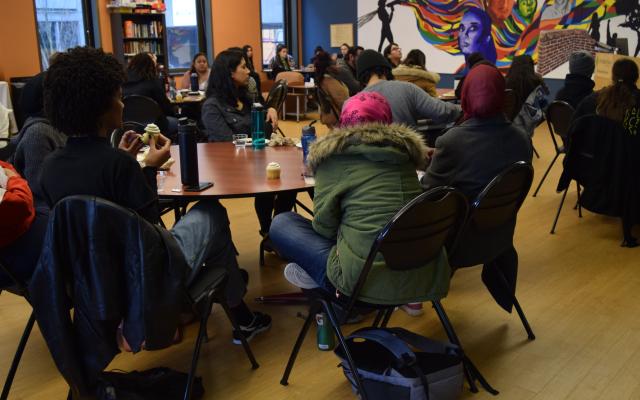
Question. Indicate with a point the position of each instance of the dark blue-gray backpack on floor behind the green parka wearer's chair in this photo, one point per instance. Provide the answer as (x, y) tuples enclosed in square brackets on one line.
[(389, 369)]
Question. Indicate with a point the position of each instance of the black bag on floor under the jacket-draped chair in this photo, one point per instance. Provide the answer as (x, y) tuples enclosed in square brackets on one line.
[(152, 384)]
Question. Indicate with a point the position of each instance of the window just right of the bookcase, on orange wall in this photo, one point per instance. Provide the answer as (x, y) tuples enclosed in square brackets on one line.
[(185, 33)]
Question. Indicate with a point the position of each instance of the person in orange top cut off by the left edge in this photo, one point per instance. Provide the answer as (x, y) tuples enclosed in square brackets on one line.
[(22, 229)]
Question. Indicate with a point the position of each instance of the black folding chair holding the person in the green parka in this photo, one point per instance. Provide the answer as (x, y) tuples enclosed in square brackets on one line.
[(414, 237)]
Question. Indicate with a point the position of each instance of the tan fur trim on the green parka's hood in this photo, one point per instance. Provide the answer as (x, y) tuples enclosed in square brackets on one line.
[(378, 138)]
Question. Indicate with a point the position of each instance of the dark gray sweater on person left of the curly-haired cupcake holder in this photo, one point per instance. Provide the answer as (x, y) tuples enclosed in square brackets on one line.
[(36, 140)]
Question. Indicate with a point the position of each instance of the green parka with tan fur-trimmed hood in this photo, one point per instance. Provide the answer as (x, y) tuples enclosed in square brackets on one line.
[(364, 175)]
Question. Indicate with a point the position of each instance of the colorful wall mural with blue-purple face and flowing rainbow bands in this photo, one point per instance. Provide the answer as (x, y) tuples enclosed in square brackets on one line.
[(450, 30)]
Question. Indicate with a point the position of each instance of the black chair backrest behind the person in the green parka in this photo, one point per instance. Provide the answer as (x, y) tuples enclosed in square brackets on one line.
[(417, 233)]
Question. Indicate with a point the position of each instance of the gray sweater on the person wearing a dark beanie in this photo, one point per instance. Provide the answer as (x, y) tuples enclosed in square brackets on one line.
[(409, 103)]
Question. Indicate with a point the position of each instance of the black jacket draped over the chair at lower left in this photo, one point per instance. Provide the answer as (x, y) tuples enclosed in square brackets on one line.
[(109, 265)]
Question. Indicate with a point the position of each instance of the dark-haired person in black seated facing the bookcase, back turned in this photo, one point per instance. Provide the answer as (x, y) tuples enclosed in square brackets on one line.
[(143, 80)]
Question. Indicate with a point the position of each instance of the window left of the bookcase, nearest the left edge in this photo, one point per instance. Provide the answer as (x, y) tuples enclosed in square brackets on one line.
[(62, 24)]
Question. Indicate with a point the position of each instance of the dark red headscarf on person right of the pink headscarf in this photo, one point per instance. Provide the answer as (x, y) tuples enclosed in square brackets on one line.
[(483, 92)]
